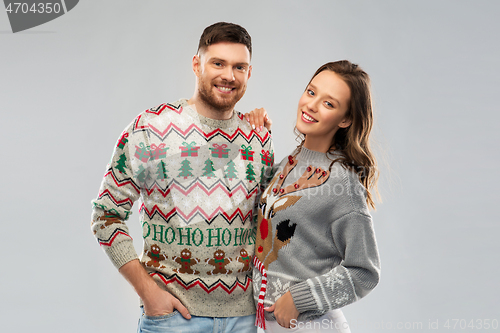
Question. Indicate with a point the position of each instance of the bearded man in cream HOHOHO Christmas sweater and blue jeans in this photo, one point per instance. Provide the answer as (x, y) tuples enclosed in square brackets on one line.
[(197, 166)]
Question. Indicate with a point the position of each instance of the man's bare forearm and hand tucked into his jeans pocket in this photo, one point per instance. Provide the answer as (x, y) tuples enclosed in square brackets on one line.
[(157, 302)]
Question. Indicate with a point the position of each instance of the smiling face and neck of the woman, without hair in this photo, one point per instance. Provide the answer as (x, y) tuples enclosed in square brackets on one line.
[(322, 109)]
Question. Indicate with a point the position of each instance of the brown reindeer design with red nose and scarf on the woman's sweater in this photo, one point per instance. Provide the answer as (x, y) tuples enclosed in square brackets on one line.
[(275, 199)]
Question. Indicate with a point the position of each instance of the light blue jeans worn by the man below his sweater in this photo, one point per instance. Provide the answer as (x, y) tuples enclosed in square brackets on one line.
[(175, 323)]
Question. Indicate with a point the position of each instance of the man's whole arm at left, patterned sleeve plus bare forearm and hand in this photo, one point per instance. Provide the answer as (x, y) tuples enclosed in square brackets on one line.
[(120, 188)]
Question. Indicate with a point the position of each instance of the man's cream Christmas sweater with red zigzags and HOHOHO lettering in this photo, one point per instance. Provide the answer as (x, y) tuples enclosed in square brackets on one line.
[(197, 179)]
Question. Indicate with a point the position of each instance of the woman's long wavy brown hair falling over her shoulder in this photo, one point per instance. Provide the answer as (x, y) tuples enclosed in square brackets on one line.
[(353, 142)]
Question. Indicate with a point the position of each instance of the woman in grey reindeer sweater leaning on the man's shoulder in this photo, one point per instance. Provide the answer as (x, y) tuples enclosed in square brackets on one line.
[(315, 245)]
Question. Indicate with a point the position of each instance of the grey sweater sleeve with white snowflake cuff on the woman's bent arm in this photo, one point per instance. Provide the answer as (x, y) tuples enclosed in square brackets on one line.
[(356, 275)]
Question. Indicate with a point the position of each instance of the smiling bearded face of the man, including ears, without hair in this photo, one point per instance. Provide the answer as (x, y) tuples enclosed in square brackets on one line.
[(223, 71)]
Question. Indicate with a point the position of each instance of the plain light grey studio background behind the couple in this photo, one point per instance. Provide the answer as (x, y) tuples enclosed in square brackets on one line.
[(69, 87)]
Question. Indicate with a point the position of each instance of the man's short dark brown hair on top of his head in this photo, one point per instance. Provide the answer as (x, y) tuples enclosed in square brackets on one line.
[(224, 32)]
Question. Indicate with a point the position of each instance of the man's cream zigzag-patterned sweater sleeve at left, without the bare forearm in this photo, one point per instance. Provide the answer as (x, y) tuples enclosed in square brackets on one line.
[(117, 194)]
